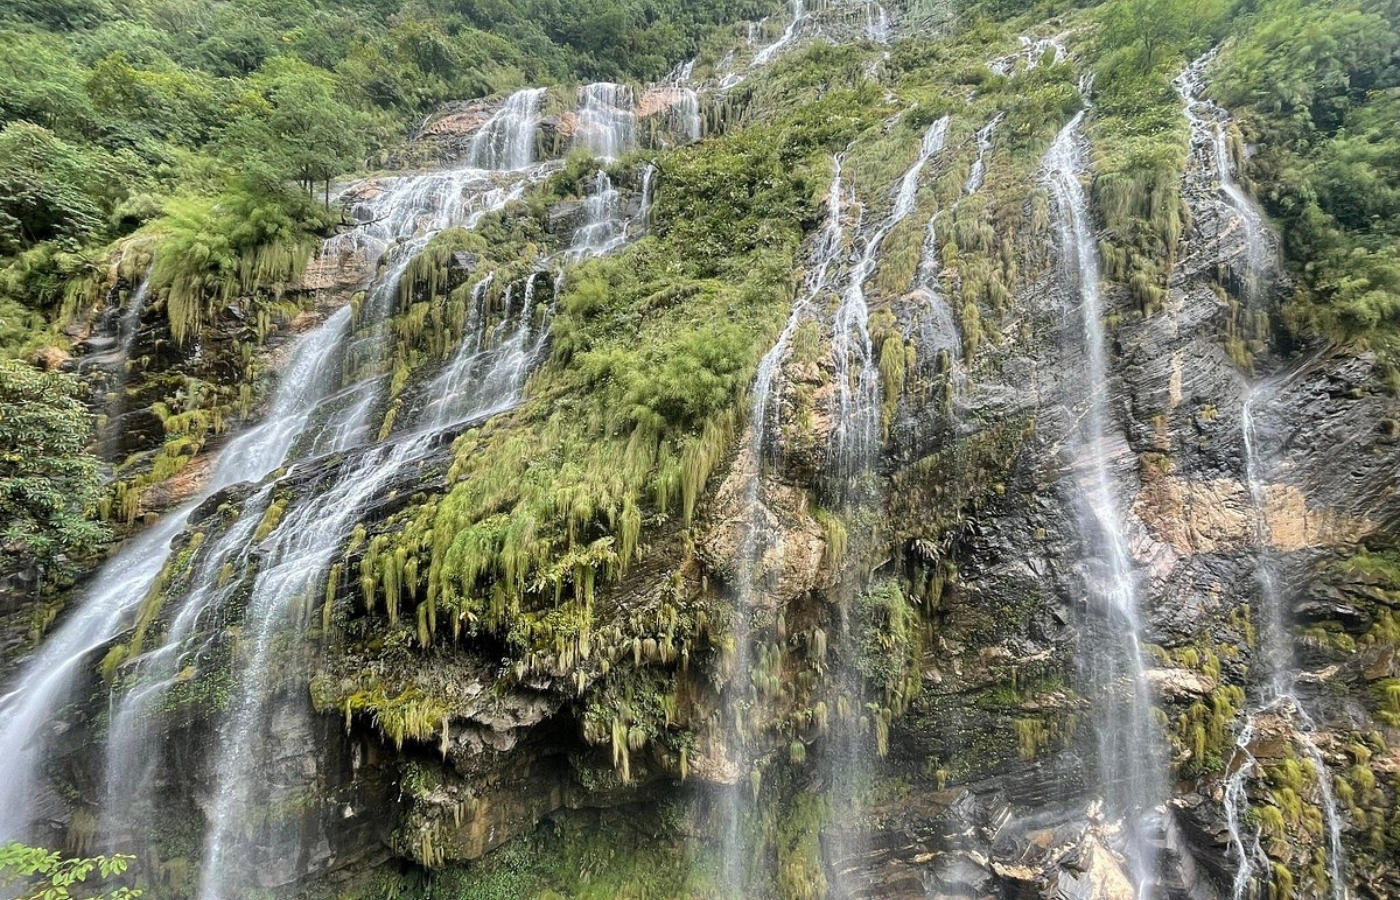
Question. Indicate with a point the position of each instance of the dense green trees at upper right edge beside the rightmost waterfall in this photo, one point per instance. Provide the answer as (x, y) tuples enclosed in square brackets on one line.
[(1318, 87)]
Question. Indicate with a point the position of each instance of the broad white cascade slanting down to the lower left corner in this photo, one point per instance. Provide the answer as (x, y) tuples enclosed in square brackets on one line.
[(321, 407)]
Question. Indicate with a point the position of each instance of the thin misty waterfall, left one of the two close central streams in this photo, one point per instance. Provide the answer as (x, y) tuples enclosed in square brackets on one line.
[(757, 542)]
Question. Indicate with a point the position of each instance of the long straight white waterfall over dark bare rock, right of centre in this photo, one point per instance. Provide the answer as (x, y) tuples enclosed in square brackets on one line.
[(1130, 758)]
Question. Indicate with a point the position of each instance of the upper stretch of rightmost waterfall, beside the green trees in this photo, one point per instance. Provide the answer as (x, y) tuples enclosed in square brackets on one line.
[(1210, 142)]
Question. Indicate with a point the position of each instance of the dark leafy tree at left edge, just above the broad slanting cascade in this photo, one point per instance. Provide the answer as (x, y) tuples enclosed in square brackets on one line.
[(48, 481)]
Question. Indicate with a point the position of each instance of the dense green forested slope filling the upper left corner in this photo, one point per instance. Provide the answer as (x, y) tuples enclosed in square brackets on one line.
[(197, 122)]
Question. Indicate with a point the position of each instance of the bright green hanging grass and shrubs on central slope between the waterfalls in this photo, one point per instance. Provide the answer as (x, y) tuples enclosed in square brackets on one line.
[(653, 353)]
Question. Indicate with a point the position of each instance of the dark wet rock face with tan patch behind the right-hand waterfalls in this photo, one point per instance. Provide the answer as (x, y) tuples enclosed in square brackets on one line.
[(1013, 621)]
